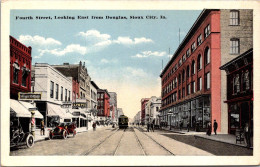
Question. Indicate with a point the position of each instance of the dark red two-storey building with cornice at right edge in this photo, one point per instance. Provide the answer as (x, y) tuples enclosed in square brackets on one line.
[(239, 91)]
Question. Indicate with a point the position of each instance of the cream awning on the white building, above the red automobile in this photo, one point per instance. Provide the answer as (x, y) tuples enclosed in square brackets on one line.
[(56, 110)]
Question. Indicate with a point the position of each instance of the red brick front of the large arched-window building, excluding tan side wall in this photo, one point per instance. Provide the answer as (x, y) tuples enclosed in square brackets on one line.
[(188, 88)]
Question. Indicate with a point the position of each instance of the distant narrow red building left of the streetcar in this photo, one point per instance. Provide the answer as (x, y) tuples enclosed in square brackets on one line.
[(103, 106)]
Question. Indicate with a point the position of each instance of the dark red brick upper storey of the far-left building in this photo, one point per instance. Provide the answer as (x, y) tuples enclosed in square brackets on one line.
[(20, 68)]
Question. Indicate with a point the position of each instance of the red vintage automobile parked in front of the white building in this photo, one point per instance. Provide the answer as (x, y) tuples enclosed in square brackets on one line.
[(63, 130)]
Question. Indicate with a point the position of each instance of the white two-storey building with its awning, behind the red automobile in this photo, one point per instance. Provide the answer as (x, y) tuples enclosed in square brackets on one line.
[(56, 93)]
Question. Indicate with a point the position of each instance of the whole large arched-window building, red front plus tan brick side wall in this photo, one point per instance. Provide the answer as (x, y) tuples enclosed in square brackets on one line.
[(191, 81)]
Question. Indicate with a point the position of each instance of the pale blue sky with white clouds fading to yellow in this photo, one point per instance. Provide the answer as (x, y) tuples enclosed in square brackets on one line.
[(125, 56)]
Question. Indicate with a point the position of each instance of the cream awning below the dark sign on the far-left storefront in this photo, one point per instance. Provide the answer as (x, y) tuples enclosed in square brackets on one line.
[(22, 109)]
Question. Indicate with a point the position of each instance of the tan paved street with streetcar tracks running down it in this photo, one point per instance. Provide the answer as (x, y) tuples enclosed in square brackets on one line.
[(110, 141)]
